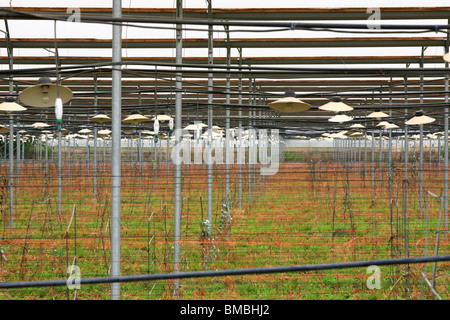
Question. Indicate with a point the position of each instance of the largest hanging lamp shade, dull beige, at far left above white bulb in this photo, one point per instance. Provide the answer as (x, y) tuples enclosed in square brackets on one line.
[(44, 94)]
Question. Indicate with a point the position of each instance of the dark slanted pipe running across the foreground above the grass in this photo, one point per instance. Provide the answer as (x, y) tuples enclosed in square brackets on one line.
[(232, 272)]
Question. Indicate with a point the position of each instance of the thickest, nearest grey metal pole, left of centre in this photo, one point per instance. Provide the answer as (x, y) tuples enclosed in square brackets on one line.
[(116, 145)]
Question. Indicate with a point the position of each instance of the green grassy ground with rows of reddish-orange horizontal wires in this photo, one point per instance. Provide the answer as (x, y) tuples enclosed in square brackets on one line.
[(323, 206)]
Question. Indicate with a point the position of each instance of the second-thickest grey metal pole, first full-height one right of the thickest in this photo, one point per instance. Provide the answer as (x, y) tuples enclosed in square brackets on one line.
[(178, 115)]
